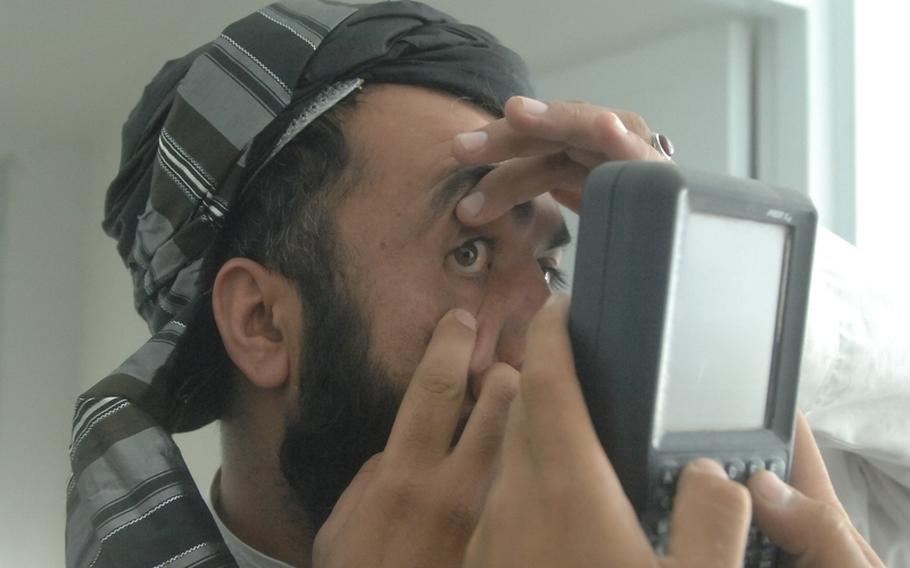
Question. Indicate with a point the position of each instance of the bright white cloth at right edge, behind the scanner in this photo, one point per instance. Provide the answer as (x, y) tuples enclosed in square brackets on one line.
[(855, 390)]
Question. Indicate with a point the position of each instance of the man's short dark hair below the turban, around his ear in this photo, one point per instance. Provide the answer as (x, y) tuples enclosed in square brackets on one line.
[(284, 222)]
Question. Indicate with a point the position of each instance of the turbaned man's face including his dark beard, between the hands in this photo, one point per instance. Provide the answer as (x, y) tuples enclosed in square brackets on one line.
[(405, 260)]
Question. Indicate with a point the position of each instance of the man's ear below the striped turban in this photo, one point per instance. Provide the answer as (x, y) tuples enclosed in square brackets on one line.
[(258, 317)]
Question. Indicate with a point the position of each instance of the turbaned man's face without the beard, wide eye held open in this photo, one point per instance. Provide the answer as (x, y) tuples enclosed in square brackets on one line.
[(410, 260)]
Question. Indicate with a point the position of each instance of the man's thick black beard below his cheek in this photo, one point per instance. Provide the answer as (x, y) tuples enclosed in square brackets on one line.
[(346, 409)]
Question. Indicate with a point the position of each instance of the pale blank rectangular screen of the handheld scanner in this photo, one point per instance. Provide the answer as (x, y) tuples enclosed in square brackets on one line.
[(720, 323)]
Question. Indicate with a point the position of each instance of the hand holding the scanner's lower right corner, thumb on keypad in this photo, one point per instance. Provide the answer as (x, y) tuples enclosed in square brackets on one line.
[(808, 522)]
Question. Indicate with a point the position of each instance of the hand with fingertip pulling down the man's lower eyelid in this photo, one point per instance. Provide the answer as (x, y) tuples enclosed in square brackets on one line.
[(417, 503)]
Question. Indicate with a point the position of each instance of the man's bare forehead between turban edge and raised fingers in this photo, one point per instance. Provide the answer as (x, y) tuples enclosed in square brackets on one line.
[(401, 140)]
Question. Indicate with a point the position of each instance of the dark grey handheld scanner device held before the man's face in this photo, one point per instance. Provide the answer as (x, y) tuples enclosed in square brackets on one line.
[(687, 318)]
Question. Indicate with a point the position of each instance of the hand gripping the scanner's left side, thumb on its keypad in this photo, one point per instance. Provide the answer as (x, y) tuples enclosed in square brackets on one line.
[(557, 500)]
